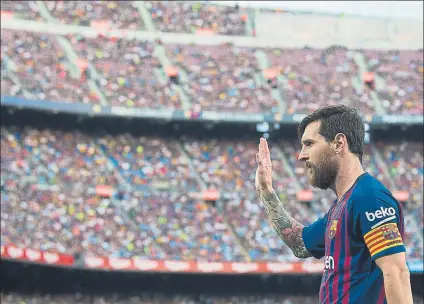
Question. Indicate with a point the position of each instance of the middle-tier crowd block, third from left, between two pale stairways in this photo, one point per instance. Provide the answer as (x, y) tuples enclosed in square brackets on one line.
[(222, 77)]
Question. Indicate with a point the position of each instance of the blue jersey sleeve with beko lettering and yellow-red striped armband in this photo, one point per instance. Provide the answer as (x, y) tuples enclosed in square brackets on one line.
[(379, 220)]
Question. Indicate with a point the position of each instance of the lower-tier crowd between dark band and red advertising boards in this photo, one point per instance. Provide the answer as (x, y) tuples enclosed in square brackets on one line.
[(61, 204)]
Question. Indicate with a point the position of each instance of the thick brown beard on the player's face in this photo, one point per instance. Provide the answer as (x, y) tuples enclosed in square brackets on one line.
[(323, 174)]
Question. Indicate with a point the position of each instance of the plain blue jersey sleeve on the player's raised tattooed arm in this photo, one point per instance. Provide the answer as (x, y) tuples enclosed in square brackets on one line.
[(314, 237)]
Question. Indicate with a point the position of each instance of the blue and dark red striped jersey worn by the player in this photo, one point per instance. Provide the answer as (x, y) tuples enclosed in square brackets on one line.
[(364, 225)]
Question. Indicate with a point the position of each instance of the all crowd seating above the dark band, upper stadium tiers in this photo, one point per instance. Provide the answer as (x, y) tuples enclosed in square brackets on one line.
[(133, 72)]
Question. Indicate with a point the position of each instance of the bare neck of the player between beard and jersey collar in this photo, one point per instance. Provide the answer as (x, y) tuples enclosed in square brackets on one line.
[(347, 176)]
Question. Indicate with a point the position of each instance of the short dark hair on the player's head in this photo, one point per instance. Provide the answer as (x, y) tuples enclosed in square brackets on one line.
[(338, 119)]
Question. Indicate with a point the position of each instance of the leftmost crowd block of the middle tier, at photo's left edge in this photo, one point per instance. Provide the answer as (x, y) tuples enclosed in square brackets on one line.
[(42, 68)]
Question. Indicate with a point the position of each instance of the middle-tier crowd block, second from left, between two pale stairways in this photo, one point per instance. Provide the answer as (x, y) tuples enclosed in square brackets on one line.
[(127, 72)]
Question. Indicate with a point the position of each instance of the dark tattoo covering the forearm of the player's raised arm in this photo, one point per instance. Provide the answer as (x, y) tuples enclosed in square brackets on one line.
[(289, 230)]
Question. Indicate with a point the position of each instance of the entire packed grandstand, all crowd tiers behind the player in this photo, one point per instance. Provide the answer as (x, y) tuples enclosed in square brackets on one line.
[(111, 199)]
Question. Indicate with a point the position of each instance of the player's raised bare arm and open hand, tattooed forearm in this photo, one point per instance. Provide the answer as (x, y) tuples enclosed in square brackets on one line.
[(289, 230)]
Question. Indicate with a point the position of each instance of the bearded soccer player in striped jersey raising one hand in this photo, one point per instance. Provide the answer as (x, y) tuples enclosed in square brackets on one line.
[(360, 237)]
